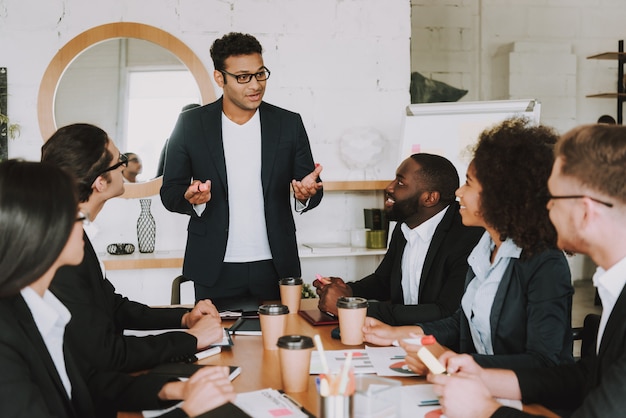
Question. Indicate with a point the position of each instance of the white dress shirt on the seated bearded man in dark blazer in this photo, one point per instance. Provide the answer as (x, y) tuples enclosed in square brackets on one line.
[(417, 243)]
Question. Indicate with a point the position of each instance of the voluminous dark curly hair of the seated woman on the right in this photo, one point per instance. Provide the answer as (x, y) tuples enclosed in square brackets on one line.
[(513, 161)]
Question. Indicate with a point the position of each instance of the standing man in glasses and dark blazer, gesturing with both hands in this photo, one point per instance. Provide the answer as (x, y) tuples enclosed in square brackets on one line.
[(229, 166)]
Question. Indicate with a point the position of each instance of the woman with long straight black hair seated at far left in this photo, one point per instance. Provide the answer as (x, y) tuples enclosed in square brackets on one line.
[(39, 233)]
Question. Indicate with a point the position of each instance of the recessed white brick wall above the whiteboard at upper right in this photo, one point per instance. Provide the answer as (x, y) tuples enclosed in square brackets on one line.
[(583, 27)]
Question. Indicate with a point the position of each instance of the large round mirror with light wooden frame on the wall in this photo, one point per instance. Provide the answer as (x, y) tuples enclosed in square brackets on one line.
[(124, 46)]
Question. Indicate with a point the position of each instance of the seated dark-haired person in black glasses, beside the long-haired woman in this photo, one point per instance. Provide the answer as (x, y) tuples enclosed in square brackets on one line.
[(99, 315)]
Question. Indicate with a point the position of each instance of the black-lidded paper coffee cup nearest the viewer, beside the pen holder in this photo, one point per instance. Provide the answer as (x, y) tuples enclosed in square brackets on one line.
[(295, 357)]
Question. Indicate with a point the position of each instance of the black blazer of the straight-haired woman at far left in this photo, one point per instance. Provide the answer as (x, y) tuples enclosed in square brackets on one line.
[(30, 385)]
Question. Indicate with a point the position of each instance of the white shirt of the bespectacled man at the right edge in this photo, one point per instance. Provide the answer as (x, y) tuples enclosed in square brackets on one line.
[(610, 284)]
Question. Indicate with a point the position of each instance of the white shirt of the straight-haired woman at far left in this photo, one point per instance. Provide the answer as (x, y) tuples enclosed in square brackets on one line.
[(51, 317)]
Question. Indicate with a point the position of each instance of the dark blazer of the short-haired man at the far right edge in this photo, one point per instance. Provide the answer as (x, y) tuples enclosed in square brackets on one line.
[(594, 386)]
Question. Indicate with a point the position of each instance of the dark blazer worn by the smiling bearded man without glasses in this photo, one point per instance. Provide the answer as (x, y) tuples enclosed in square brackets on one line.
[(442, 278)]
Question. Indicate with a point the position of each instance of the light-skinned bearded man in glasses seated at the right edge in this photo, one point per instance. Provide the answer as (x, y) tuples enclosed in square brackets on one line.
[(587, 205)]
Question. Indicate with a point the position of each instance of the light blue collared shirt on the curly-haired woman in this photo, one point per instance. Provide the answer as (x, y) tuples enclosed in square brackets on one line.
[(481, 291)]
